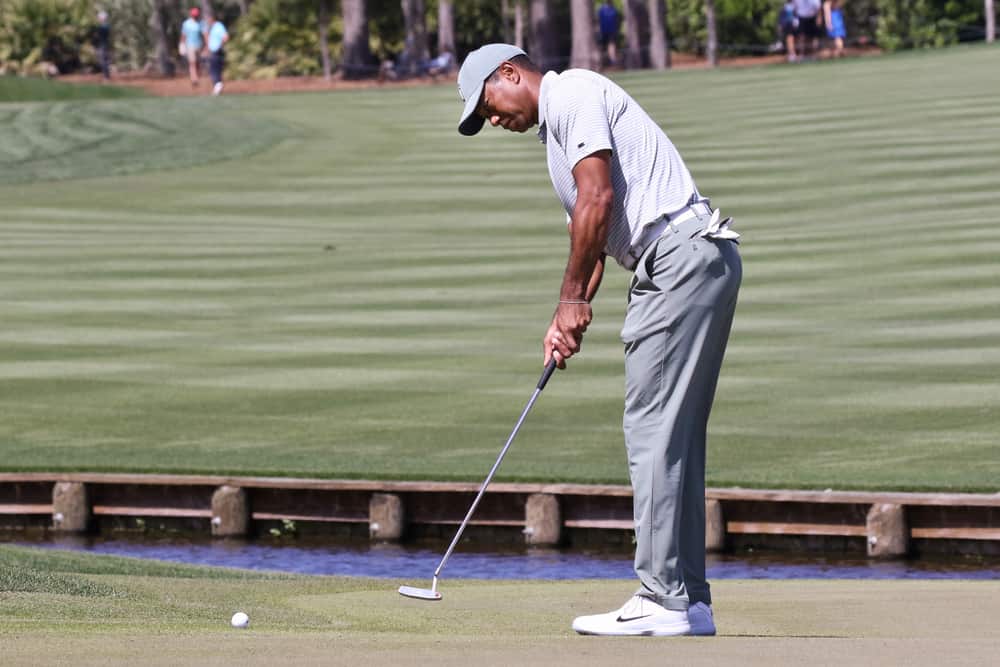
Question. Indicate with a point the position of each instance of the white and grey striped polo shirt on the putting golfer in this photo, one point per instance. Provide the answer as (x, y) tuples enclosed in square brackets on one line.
[(581, 112)]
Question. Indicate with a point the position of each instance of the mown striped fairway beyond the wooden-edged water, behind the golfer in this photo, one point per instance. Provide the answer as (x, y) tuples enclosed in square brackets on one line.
[(366, 297)]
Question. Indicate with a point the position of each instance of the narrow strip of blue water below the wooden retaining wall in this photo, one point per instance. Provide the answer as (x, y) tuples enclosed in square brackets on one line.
[(409, 562)]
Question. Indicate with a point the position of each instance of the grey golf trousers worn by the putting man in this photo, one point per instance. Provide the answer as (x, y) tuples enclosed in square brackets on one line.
[(681, 303)]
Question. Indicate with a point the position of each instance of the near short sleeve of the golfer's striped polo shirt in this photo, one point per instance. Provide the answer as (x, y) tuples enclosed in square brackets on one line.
[(578, 119)]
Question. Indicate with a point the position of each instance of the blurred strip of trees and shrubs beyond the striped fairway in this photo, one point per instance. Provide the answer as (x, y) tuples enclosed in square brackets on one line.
[(403, 38)]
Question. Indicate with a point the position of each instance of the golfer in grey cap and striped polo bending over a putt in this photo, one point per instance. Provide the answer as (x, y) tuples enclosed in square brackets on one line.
[(629, 196)]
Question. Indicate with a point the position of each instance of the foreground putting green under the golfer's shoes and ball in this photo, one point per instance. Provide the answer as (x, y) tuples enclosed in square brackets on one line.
[(88, 610)]
